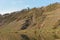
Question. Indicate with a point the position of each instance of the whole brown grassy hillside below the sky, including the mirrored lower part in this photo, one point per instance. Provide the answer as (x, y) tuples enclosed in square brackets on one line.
[(31, 24)]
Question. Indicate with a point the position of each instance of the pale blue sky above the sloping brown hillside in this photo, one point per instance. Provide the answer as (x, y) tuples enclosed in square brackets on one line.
[(16, 5)]
